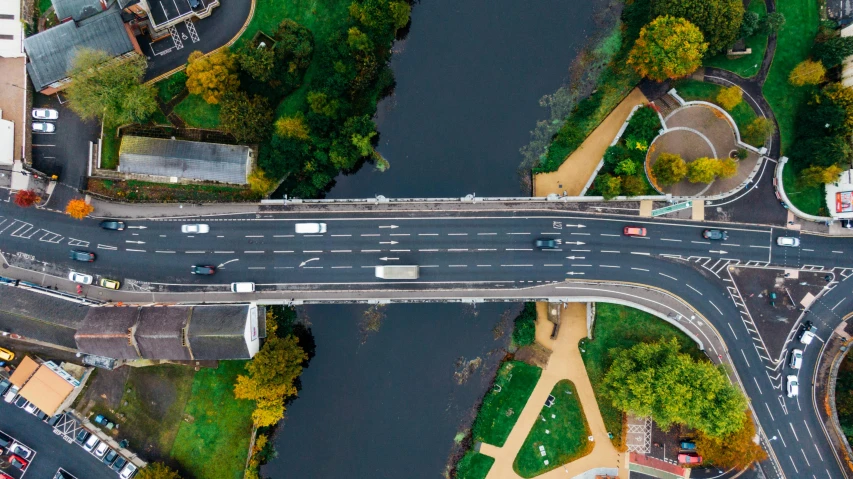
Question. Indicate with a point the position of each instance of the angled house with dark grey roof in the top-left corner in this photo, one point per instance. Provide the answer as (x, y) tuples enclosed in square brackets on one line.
[(51, 52)]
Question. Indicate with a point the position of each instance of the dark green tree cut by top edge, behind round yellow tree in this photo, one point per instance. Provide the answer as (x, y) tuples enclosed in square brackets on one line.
[(719, 20)]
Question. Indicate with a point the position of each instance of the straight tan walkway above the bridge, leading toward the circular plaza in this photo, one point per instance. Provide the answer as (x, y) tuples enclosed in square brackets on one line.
[(580, 165)]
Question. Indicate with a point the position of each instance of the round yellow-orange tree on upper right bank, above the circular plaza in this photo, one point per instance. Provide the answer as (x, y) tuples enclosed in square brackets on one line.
[(668, 47)]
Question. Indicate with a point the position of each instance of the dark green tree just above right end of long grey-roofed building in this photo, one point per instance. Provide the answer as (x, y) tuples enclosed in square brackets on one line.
[(248, 119)]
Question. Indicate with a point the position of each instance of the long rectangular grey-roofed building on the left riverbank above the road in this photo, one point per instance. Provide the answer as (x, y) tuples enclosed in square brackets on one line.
[(169, 160)]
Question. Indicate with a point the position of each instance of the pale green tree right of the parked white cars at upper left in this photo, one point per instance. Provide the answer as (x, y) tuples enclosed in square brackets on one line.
[(110, 89)]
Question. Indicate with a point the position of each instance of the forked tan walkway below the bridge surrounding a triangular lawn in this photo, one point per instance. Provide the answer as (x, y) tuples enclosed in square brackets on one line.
[(565, 363)]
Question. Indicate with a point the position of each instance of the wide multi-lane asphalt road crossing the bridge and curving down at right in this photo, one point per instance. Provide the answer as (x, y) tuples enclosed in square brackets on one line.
[(463, 251)]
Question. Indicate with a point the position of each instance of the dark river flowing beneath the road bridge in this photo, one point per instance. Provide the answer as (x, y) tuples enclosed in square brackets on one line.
[(469, 75)]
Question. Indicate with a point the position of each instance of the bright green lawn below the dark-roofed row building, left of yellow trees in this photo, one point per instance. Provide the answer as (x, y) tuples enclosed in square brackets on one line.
[(214, 440)]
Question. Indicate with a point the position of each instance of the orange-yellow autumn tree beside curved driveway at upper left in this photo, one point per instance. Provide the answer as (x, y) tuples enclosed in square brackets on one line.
[(212, 76)]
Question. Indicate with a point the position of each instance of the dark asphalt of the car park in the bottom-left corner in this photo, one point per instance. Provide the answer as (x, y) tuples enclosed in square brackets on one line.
[(51, 451)]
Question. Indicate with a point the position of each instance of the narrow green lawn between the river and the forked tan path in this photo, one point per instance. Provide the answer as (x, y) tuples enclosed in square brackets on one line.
[(500, 410)]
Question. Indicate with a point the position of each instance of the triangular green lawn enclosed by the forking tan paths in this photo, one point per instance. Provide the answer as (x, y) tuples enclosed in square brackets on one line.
[(563, 434)]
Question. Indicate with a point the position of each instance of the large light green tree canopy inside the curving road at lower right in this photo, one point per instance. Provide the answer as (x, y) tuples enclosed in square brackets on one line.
[(656, 380)]
